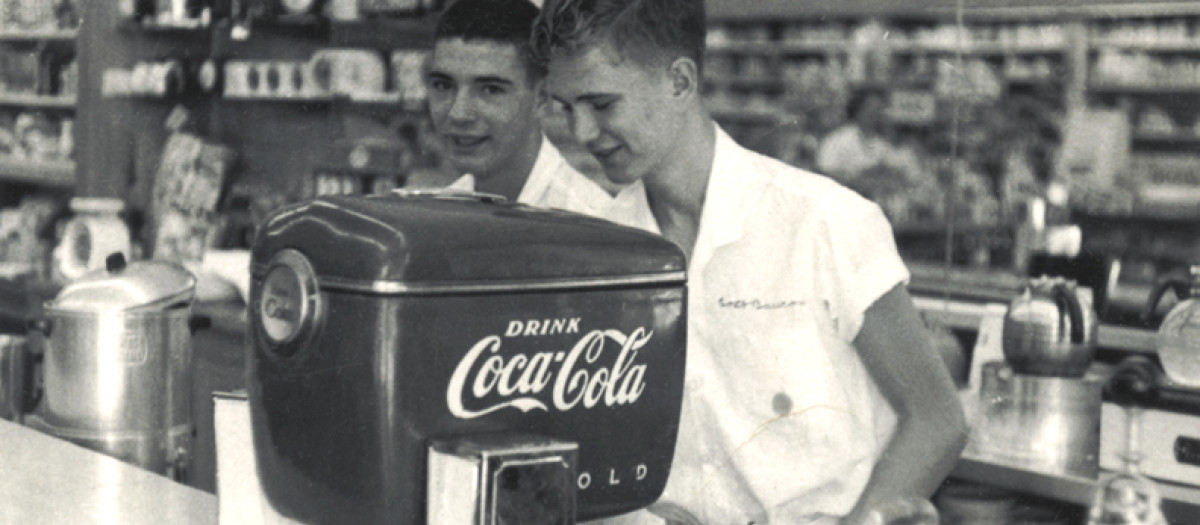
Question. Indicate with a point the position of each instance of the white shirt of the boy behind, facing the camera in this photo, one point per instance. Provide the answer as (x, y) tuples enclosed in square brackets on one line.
[(555, 184)]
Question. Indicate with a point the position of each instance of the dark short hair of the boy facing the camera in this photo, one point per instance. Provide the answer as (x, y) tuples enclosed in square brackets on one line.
[(507, 22)]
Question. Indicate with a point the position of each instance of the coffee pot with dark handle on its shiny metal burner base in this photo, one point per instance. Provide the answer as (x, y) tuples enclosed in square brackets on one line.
[(1040, 408)]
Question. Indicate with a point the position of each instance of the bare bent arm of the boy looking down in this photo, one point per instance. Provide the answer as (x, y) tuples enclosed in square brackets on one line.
[(931, 430)]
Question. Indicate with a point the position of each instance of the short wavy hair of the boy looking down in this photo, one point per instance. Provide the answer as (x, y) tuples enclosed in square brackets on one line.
[(645, 31)]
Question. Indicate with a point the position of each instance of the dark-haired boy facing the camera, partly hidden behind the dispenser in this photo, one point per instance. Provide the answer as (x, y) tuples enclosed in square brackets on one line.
[(485, 93)]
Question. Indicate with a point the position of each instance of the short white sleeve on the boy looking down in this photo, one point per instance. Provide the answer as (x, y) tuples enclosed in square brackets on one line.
[(860, 263)]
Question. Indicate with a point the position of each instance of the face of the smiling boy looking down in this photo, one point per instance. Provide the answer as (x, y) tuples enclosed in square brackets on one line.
[(619, 108)]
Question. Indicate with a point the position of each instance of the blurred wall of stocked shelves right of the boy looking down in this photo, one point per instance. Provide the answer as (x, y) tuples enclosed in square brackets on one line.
[(778, 77)]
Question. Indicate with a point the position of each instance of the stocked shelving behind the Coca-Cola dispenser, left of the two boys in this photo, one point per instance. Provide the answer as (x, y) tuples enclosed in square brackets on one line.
[(287, 147)]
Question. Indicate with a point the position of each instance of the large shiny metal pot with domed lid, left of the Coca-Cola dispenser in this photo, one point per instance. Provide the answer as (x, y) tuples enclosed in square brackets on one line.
[(117, 370)]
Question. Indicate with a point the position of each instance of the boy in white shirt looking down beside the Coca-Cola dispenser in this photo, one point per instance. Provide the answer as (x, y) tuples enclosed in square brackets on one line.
[(814, 394)]
